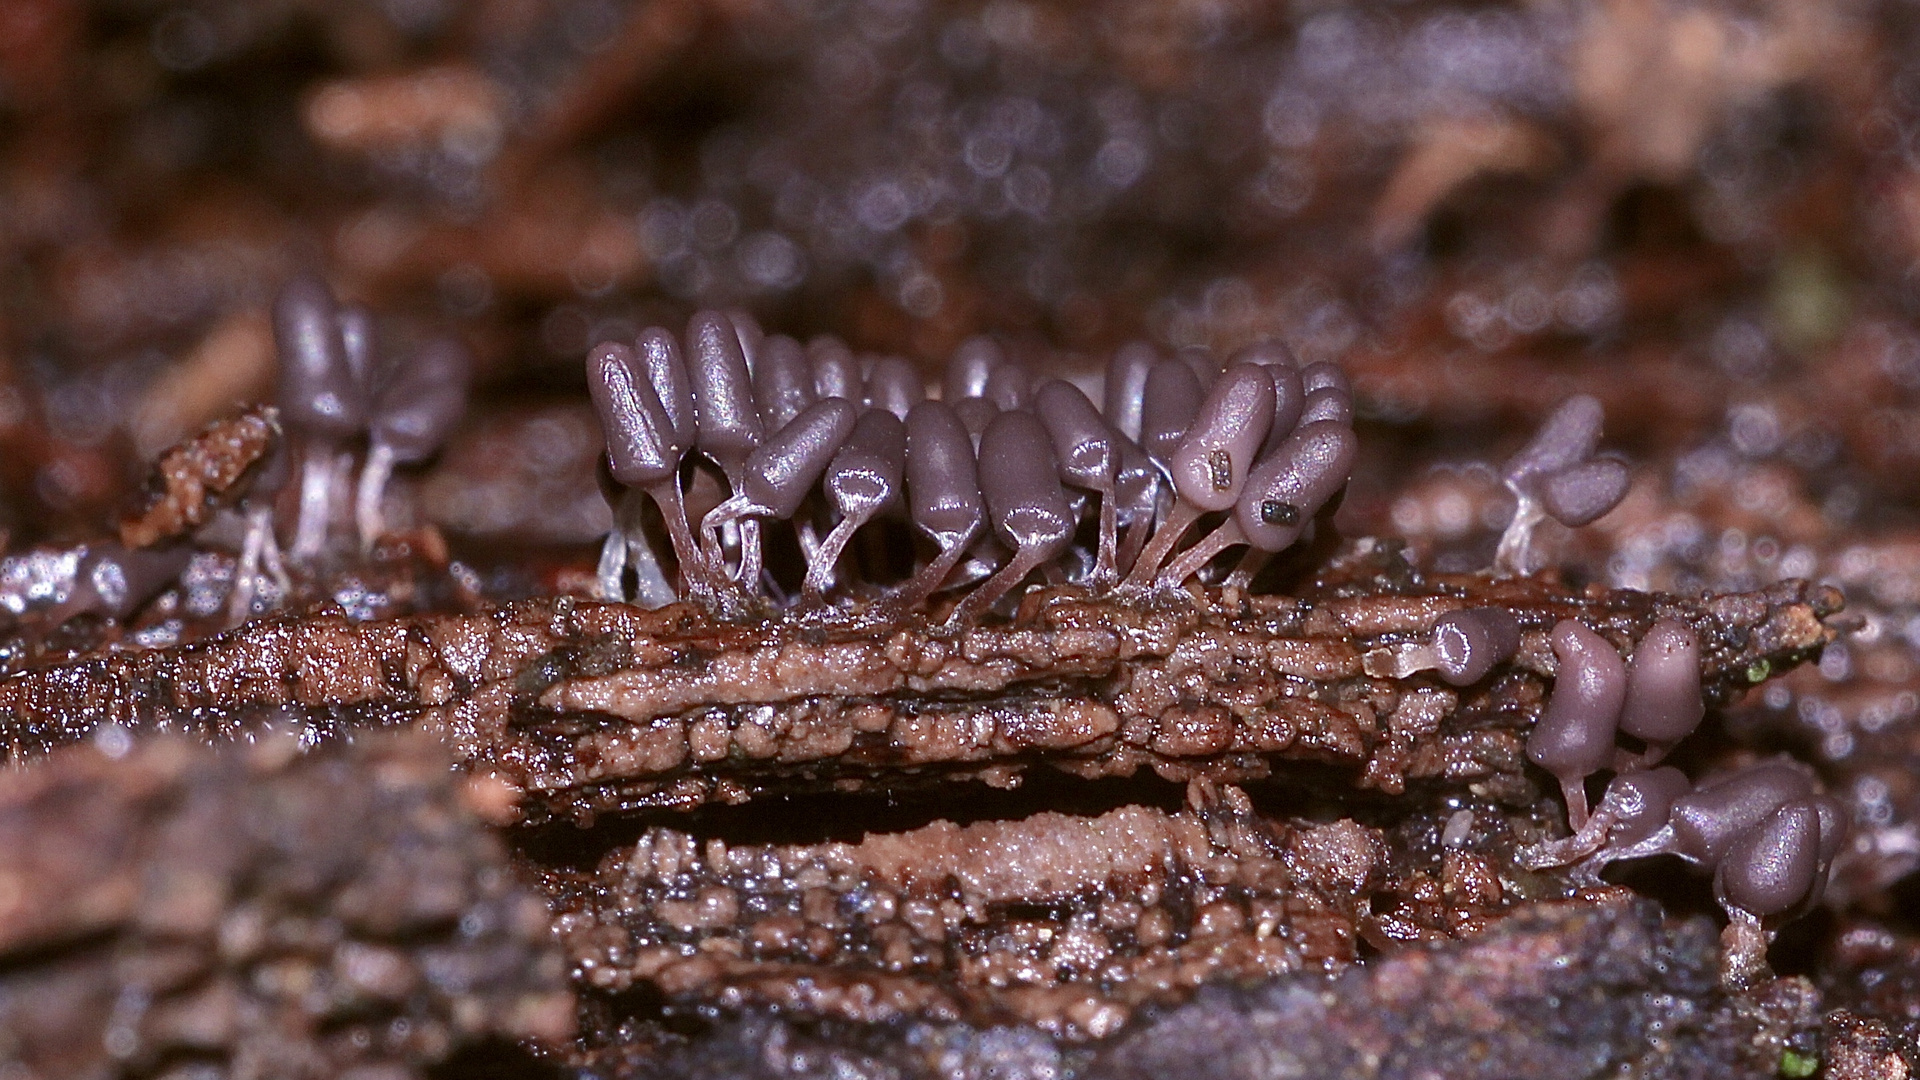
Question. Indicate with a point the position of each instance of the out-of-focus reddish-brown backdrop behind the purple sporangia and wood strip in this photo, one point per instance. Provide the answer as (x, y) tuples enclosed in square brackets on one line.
[(1708, 214)]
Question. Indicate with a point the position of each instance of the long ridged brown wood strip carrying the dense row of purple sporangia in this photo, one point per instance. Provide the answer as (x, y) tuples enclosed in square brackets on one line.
[(585, 708)]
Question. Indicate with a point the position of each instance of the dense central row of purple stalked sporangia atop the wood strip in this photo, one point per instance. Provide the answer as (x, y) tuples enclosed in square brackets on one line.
[(1001, 474)]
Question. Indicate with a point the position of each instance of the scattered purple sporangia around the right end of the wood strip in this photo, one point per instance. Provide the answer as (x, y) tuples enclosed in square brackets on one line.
[(1765, 833)]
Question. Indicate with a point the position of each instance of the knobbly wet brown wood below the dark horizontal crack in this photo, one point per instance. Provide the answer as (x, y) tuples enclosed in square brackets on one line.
[(1070, 923)]
